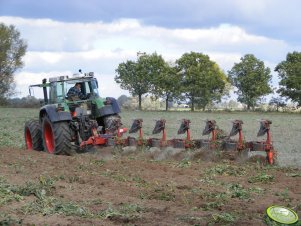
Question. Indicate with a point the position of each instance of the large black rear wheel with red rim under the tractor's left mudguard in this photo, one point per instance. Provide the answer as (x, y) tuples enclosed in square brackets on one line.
[(57, 137)]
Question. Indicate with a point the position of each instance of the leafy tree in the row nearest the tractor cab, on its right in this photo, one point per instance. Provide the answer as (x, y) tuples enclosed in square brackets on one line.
[(137, 77)]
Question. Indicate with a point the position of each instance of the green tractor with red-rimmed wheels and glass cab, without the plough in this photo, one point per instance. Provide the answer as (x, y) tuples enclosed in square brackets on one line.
[(68, 124)]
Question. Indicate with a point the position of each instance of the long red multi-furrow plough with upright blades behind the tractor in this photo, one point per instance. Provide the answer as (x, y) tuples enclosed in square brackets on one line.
[(216, 139)]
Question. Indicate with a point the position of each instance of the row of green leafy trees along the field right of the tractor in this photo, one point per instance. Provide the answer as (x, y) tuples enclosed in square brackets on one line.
[(199, 80)]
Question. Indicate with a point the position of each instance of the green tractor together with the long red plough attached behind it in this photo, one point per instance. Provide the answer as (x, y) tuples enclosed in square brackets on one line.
[(69, 124)]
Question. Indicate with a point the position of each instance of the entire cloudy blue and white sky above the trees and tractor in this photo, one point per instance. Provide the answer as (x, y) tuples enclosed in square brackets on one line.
[(97, 35)]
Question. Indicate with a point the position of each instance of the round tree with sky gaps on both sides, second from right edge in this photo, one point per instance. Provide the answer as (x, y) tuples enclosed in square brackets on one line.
[(251, 78)]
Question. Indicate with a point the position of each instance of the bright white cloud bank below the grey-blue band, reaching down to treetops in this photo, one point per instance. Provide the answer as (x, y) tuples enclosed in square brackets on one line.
[(99, 46)]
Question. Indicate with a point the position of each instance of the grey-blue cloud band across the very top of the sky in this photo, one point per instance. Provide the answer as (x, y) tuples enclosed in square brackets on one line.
[(270, 18)]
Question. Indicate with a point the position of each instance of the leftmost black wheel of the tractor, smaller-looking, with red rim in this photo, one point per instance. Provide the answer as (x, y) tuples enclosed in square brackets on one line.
[(33, 135)]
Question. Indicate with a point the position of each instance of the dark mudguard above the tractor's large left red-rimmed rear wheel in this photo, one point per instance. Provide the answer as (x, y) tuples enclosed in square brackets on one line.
[(53, 114)]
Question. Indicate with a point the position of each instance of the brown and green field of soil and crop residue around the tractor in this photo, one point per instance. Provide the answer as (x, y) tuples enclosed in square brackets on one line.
[(148, 187)]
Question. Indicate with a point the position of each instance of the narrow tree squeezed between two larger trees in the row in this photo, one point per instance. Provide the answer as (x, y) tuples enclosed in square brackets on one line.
[(167, 84)]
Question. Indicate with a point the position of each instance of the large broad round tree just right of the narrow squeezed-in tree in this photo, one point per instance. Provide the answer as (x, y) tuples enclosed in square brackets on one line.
[(202, 80)]
